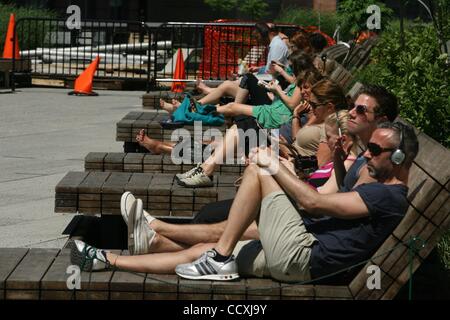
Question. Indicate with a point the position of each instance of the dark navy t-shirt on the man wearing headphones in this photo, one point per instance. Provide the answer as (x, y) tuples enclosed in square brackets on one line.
[(345, 242)]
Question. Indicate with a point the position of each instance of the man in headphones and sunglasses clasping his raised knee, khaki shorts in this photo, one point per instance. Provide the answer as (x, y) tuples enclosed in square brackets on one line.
[(294, 247)]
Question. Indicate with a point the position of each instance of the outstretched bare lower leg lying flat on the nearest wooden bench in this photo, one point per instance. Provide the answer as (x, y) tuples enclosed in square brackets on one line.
[(161, 263)]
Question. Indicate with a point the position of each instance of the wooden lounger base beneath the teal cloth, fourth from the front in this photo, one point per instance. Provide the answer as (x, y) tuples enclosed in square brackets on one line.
[(129, 127)]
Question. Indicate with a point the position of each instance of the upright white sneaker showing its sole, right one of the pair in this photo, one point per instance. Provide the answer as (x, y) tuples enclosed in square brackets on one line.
[(140, 235)]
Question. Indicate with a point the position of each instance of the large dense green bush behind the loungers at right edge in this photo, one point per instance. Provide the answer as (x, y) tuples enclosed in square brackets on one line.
[(417, 74)]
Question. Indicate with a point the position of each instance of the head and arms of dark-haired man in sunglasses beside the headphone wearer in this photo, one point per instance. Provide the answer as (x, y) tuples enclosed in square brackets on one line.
[(373, 105)]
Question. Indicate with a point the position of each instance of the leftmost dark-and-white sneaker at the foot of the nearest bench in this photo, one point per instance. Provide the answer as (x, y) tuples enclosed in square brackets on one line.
[(87, 257)]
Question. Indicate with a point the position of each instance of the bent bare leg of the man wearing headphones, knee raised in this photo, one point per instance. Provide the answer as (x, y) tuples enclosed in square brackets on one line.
[(245, 208)]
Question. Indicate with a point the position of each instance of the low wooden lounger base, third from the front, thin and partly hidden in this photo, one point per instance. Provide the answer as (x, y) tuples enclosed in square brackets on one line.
[(146, 163)]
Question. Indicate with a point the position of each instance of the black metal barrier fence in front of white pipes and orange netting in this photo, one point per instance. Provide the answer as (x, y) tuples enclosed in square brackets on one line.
[(137, 51)]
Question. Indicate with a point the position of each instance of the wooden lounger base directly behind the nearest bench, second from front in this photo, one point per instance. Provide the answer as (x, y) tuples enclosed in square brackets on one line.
[(100, 192)]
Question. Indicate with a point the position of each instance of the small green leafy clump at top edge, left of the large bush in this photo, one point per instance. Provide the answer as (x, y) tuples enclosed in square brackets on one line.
[(352, 15)]
